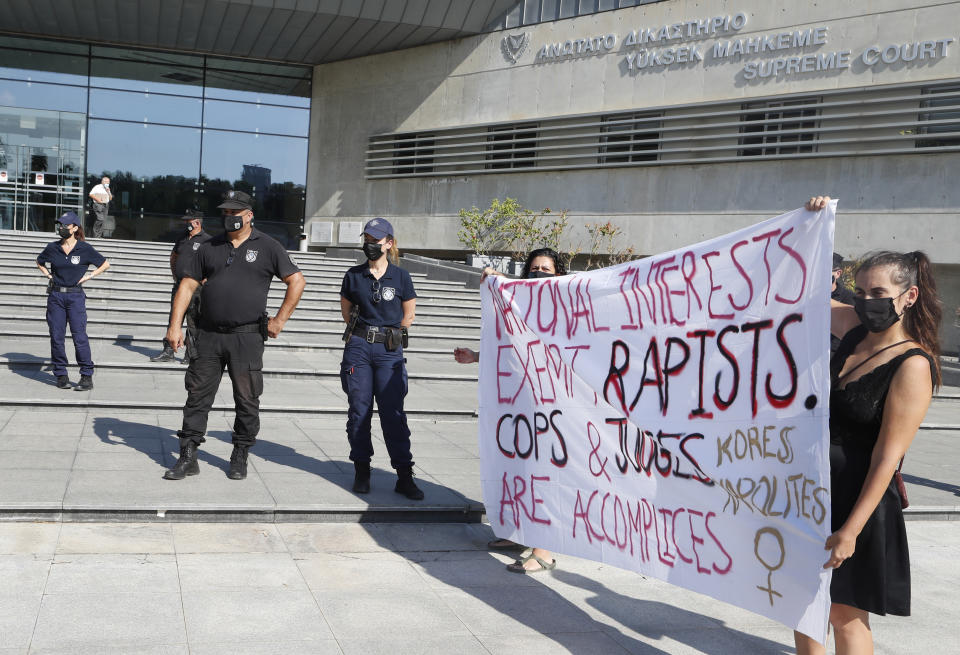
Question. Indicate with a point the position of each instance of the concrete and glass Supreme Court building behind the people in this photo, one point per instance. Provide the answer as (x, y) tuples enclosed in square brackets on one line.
[(677, 120)]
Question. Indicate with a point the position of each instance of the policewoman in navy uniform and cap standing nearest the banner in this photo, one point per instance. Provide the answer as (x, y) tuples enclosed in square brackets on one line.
[(383, 297)]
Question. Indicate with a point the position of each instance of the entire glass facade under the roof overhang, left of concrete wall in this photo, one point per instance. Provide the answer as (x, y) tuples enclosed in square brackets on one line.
[(172, 131)]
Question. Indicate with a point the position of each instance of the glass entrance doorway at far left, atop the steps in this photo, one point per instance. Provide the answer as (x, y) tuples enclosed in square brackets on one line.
[(41, 167)]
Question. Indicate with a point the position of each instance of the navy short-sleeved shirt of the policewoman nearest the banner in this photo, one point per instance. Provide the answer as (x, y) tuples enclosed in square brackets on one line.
[(359, 287)]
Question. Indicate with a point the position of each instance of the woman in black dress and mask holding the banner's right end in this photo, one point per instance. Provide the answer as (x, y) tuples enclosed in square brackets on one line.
[(882, 380)]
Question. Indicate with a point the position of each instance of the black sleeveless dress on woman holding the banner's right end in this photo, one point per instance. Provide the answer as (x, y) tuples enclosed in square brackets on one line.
[(877, 577)]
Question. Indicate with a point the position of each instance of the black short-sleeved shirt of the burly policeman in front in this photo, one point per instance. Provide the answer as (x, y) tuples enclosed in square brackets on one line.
[(238, 280)]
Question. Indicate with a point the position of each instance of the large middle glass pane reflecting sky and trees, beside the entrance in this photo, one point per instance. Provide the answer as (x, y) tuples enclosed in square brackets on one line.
[(152, 170)]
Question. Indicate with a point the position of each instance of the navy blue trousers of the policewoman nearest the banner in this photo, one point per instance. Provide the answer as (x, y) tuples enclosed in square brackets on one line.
[(370, 372)]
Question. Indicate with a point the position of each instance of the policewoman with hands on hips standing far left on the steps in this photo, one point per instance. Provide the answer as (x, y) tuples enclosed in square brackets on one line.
[(65, 262)]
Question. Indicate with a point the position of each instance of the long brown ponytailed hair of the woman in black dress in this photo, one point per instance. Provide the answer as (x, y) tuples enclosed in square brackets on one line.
[(921, 321)]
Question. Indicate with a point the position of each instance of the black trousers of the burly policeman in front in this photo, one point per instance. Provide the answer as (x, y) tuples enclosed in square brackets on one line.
[(242, 355)]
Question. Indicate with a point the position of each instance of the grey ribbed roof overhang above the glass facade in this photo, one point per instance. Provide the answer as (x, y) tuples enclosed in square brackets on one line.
[(294, 31)]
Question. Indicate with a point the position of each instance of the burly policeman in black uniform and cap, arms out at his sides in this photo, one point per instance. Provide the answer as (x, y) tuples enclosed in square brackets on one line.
[(238, 267)]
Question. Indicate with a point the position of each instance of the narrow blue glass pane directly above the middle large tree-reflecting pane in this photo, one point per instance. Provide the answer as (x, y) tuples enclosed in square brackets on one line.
[(145, 107)]
